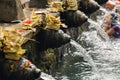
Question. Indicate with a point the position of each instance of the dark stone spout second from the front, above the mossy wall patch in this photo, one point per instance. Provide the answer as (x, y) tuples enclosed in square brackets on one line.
[(52, 39)]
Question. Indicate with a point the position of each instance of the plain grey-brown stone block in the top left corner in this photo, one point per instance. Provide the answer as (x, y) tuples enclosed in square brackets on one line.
[(10, 10)]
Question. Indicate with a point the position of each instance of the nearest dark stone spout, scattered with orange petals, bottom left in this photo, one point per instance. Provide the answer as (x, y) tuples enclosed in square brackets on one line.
[(22, 69)]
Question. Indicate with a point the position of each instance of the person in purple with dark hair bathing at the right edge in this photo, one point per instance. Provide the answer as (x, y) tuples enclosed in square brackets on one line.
[(111, 23)]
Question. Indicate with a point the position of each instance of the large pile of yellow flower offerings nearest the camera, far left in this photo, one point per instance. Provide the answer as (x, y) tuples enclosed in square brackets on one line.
[(12, 44)]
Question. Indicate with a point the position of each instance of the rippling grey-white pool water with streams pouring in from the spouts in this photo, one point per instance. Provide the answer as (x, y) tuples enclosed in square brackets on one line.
[(101, 63)]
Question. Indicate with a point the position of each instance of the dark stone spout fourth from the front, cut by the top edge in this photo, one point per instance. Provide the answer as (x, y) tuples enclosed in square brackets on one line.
[(88, 6)]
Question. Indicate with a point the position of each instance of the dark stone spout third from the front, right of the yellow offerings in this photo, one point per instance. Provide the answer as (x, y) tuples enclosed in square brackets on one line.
[(73, 18)]
